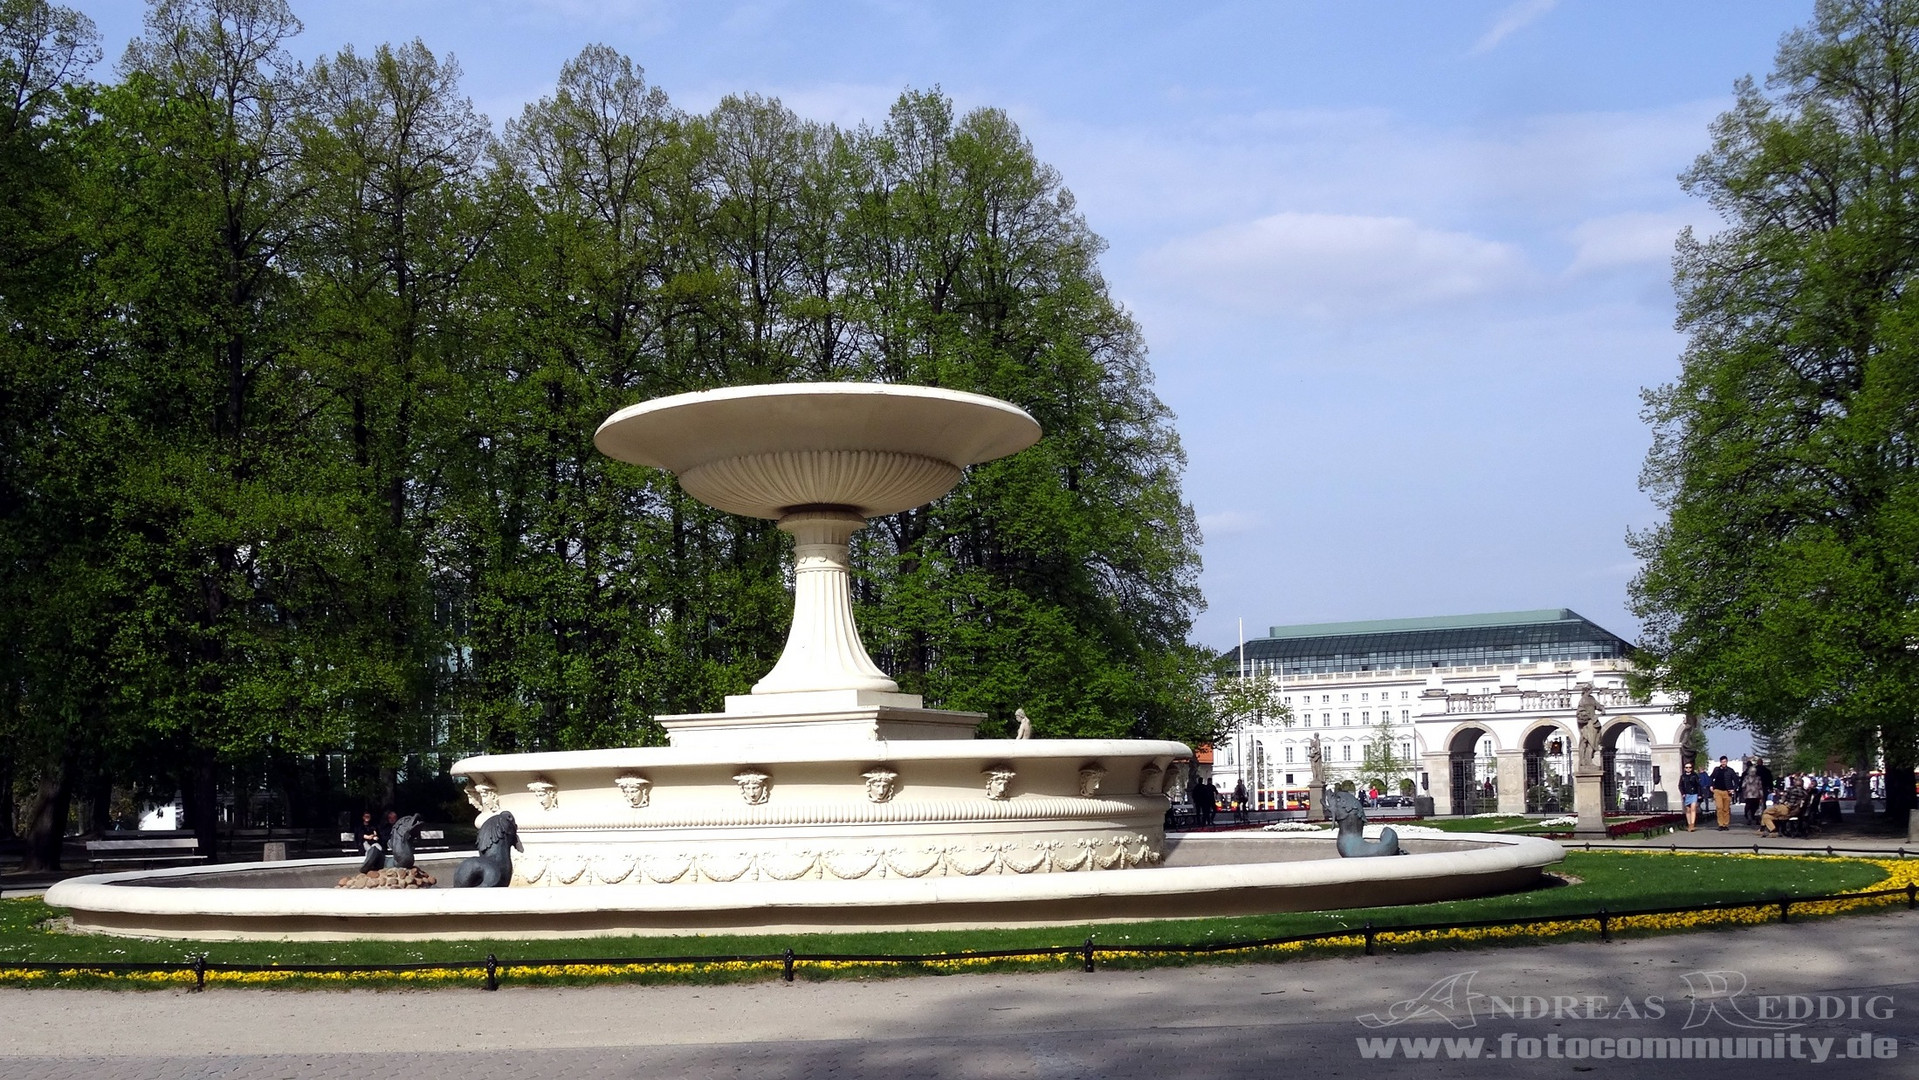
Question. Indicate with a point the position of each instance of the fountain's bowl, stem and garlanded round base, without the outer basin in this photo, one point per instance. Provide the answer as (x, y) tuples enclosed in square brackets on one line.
[(826, 770)]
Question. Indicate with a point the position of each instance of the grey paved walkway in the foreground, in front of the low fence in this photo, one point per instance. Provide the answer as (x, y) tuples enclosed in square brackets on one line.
[(1250, 1021)]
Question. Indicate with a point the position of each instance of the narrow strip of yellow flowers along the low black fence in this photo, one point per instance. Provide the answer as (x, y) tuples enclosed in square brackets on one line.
[(1901, 874)]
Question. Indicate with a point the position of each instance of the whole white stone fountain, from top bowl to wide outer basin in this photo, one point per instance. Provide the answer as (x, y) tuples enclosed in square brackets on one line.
[(824, 799)]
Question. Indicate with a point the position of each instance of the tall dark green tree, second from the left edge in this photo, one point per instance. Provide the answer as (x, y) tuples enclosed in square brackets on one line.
[(224, 515)]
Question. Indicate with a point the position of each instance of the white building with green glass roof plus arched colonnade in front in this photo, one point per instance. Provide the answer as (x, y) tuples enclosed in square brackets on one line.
[(1477, 711)]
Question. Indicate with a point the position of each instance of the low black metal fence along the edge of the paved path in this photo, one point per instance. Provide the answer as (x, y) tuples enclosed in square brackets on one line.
[(1367, 937)]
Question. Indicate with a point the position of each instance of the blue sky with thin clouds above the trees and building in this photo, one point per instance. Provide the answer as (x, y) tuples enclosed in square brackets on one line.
[(1404, 268)]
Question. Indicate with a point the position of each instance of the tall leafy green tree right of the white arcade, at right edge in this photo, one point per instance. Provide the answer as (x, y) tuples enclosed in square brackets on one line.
[(1784, 588)]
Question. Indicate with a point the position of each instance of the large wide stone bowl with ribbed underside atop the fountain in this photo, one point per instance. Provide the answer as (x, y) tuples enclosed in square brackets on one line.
[(770, 450)]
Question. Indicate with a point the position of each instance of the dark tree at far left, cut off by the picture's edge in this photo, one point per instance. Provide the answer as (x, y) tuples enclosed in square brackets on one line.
[(57, 582)]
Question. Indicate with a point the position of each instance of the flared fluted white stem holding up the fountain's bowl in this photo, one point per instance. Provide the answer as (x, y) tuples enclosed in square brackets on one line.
[(824, 649)]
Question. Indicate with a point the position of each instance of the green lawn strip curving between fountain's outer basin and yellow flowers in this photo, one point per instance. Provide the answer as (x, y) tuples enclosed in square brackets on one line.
[(1617, 881)]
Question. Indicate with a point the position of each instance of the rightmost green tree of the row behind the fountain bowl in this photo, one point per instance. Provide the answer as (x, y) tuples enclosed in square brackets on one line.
[(1062, 578)]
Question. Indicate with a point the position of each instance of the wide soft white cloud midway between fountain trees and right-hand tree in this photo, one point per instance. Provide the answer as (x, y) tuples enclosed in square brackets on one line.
[(1329, 266)]
